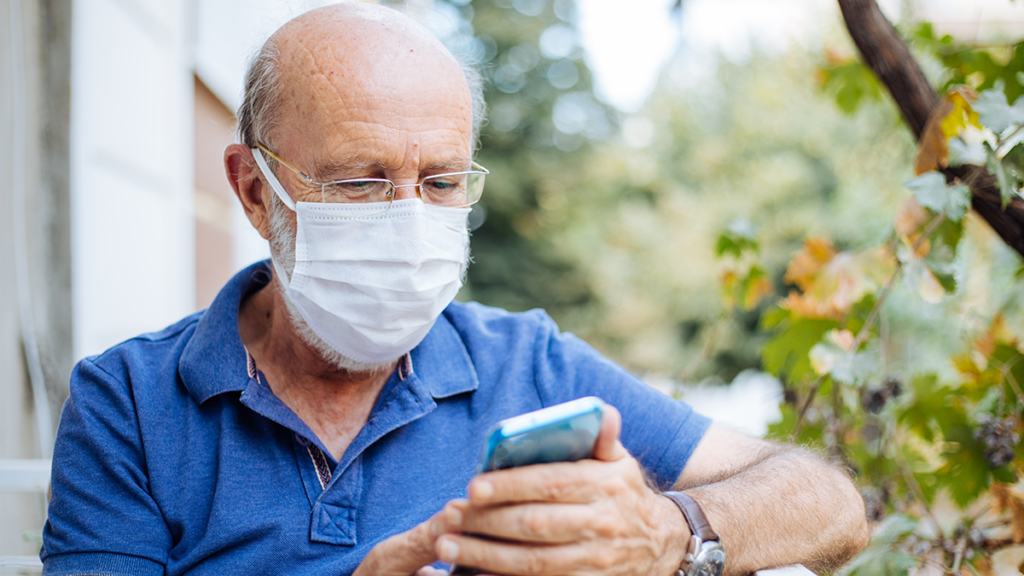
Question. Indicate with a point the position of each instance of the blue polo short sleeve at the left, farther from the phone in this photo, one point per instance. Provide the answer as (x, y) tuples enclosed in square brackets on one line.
[(103, 519)]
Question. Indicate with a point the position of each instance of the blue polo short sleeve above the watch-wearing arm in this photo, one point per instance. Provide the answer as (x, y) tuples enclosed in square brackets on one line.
[(661, 432)]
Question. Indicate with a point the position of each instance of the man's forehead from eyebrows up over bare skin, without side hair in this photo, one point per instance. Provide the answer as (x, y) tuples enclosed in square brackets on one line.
[(378, 90)]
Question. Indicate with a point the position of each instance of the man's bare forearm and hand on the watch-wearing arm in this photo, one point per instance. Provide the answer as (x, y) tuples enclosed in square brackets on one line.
[(772, 506)]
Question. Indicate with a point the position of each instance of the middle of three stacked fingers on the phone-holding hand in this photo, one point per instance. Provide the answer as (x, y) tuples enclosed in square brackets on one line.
[(547, 523)]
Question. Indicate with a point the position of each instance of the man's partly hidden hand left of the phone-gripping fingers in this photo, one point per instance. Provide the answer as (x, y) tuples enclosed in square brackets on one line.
[(407, 554)]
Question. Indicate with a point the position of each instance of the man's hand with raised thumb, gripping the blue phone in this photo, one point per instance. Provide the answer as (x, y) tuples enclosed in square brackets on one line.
[(591, 517)]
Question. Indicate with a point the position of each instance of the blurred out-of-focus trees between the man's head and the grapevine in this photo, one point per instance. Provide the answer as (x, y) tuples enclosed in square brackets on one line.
[(610, 222)]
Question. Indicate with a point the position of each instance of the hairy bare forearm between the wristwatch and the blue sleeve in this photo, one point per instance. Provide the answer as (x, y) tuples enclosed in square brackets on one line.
[(785, 507)]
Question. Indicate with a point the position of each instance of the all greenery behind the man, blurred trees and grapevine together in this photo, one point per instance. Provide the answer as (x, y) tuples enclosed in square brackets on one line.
[(767, 216)]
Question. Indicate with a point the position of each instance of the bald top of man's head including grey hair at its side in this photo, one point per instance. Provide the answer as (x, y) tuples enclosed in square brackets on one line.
[(355, 60)]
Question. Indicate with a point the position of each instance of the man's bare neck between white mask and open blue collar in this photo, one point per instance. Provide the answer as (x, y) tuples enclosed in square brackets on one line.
[(334, 403)]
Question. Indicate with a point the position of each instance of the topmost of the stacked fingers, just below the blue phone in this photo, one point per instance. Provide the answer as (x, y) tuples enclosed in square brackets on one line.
[(565, 482)]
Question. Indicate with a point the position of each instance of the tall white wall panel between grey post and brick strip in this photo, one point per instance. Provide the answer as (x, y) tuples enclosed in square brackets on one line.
[(134, 265)]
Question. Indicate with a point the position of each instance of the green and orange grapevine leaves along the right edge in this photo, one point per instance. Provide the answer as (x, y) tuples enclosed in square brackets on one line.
[(905, 359)]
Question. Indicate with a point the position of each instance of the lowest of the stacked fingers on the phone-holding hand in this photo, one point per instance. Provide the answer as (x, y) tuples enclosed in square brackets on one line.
[(518, 560)]
